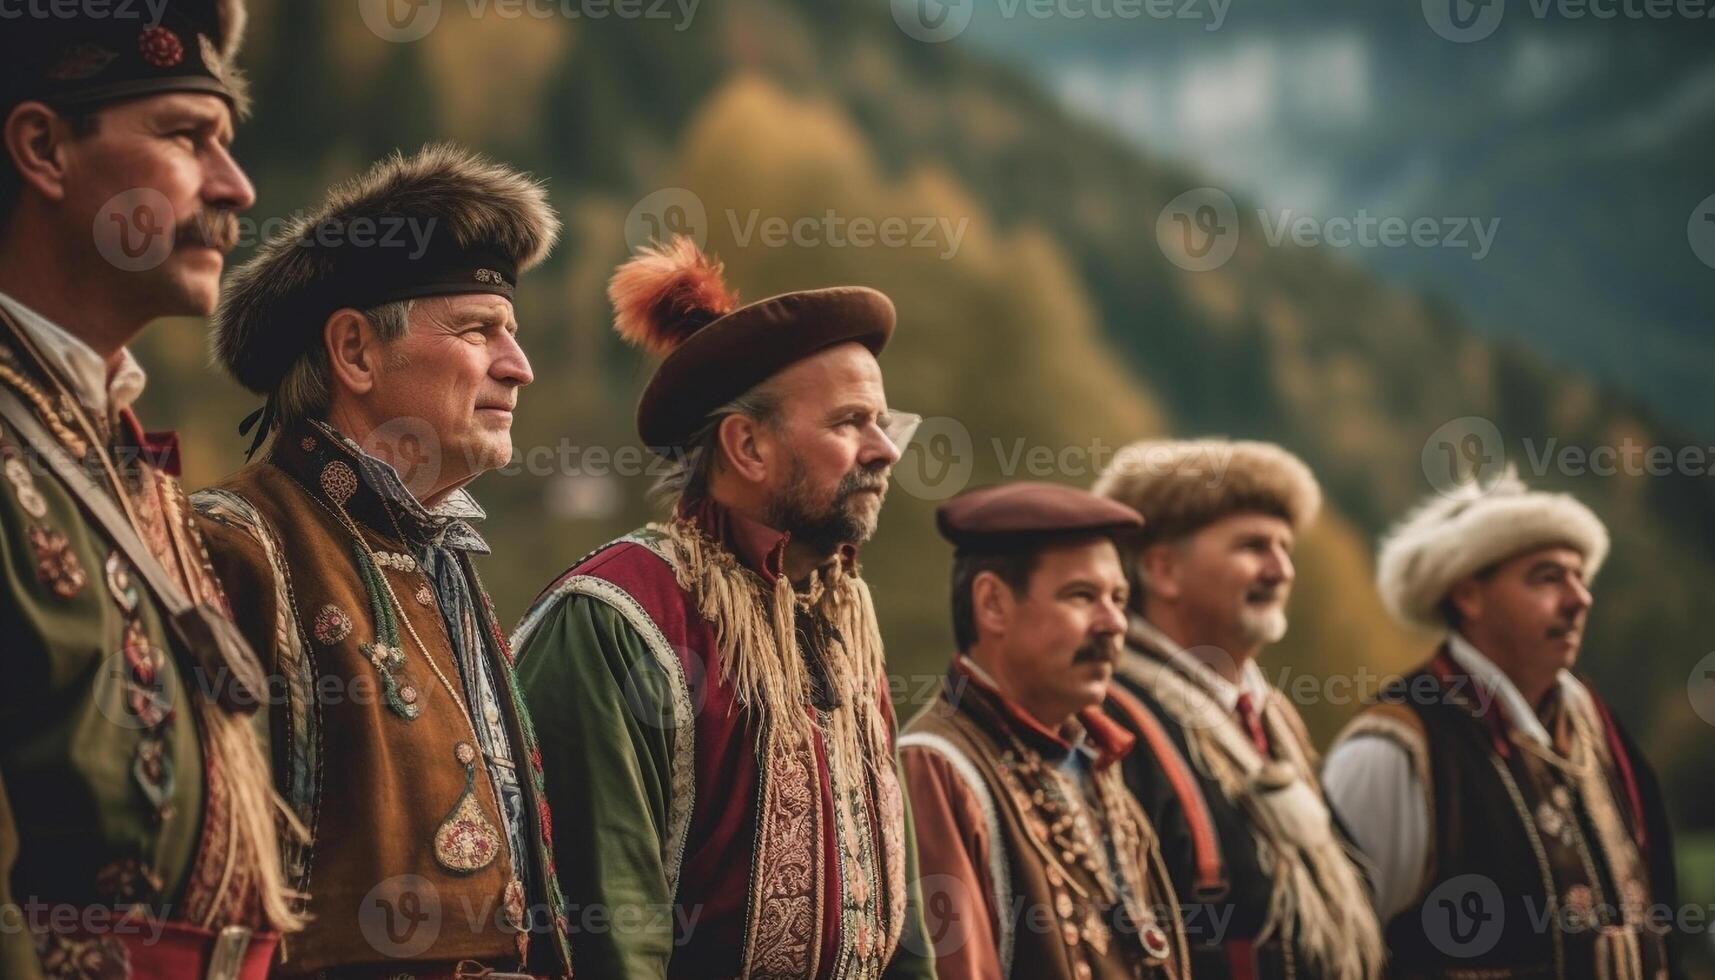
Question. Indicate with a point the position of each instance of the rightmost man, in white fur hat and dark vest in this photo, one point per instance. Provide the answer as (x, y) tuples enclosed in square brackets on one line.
[(1512, 823)]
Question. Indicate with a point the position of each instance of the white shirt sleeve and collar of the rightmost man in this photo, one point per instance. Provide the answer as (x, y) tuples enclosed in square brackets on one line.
[(1371, 783)]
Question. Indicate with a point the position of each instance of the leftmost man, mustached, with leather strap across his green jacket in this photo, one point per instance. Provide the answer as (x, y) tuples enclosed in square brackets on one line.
[(138, 825)]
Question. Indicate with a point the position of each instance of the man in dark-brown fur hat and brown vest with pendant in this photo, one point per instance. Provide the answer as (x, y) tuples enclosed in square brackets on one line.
[(383, 334)]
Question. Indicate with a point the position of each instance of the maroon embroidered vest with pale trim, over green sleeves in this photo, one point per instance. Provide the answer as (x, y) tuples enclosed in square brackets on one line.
[(797, 866)]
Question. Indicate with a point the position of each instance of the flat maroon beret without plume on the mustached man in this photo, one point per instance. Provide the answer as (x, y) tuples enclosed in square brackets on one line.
[(1020, 514)]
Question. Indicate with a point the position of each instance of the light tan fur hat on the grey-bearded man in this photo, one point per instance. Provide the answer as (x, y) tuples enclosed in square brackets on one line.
[(1186, 485)]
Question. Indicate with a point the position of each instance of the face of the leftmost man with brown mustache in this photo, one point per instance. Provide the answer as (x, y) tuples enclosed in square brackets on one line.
[(159, 186)]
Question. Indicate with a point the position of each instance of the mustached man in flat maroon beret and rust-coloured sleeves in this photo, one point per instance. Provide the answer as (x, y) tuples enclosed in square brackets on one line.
[(1037, 861)]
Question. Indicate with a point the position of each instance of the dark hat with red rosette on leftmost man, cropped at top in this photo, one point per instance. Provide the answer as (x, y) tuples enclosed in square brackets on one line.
[(83, 59)]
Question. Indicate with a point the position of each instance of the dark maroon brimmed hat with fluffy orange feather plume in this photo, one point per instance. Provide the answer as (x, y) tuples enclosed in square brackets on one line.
[(671, 299)]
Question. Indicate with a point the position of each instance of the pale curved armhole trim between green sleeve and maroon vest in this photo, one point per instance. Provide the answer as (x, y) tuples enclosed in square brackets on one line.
[(685, 729)]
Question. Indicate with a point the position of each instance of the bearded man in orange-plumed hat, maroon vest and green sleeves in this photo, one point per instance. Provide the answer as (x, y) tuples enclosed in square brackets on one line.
[(711, 691)]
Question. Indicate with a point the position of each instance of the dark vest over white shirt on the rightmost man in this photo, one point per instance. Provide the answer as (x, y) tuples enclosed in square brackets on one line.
[(1534, 864)]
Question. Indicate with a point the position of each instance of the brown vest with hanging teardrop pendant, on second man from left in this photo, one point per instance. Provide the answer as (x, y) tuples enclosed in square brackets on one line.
[(409, 857)]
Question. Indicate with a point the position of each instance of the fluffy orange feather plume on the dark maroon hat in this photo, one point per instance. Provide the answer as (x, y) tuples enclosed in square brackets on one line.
[(666, 294)]
